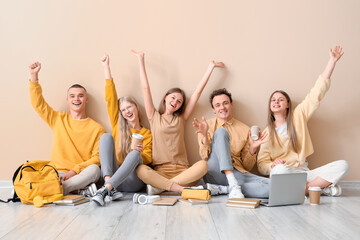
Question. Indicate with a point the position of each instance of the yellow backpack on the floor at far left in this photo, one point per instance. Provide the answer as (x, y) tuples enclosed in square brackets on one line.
[(37, 182)]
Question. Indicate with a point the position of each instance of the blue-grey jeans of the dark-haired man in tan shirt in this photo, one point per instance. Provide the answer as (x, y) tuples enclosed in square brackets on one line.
[(220, 160)]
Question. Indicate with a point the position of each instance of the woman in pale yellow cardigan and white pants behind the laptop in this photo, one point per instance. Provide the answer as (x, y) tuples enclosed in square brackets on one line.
[(289, 141)]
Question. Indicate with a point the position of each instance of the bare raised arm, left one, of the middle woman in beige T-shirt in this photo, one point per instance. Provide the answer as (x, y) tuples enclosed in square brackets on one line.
[(148, 102)]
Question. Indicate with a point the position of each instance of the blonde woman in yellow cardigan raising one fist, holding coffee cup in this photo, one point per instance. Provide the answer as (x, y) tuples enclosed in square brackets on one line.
[(118, 160)]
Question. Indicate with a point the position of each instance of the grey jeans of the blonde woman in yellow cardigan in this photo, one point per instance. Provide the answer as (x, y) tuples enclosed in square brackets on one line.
[(123, 178)]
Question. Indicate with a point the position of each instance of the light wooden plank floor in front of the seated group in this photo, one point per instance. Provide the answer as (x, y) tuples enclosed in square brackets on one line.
[(335, 218)]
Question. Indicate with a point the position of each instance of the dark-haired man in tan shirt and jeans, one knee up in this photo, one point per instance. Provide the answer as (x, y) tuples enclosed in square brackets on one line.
[(225, 143)]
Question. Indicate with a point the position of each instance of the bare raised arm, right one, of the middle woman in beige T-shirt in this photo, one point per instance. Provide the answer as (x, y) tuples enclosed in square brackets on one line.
[(200, 87)]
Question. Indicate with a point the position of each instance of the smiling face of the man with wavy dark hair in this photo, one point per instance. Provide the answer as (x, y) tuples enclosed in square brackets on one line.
[(222, 107)]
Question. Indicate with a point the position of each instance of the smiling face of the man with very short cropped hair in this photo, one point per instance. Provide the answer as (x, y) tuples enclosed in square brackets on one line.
[(77, 99)]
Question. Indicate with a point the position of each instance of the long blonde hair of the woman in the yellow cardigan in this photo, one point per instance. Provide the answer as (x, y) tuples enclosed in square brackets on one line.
[(124, 128)]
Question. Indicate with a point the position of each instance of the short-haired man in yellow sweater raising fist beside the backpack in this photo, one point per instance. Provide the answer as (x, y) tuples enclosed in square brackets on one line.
[(75, 149)]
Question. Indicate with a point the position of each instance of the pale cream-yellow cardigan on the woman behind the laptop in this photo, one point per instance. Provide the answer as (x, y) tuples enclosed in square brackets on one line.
[(302, 113)]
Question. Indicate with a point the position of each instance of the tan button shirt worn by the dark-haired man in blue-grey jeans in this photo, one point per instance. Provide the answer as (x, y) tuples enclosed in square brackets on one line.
[(242, 159)]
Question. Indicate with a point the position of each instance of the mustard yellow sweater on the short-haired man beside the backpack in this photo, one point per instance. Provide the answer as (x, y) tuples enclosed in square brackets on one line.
[(75, 142)]
